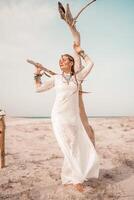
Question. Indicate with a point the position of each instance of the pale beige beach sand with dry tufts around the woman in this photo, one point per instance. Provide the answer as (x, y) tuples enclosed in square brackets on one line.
[(34, 161)]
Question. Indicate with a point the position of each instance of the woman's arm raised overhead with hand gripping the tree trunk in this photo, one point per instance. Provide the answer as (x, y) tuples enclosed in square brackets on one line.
[(89, 63)]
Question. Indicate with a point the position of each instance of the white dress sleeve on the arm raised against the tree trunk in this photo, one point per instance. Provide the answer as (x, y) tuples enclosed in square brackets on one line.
[(82, 74)]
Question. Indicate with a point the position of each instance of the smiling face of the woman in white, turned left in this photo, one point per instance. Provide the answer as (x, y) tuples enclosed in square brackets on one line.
[(65, 63)]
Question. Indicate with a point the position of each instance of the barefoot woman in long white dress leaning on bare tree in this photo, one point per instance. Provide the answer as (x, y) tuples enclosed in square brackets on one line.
[(81, 160)]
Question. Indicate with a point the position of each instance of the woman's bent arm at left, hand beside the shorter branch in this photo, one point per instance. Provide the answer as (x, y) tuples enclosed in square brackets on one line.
[(38, 84)]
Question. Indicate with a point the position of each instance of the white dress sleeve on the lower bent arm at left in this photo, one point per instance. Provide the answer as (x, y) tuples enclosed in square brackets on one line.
[(47, 85)]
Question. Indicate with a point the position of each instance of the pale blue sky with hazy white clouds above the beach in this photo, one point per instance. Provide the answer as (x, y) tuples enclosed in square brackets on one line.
[(34, 30)]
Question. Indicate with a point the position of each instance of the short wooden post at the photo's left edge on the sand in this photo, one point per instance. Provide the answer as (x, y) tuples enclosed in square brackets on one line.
[(2, 139)]
